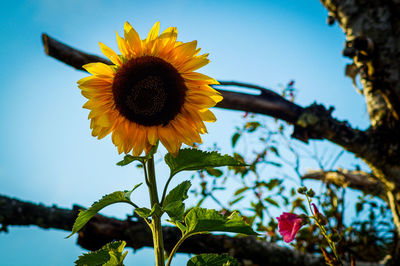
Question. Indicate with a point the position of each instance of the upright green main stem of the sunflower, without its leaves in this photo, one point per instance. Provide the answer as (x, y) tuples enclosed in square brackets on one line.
[(156, 220)]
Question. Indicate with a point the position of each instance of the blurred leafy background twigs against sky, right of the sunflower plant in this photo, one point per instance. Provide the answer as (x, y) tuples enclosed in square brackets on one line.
[(269, 184)]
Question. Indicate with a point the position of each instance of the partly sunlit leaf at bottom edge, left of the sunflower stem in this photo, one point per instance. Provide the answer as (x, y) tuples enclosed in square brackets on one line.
[(109, 255)]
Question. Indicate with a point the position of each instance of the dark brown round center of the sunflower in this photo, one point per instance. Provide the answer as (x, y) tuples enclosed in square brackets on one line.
[(149, 91)]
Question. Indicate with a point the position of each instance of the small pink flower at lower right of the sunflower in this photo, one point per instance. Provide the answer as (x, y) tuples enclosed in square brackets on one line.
[(289, 224)]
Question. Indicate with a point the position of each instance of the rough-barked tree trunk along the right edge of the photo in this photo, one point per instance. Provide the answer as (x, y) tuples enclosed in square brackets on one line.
[(372, 31)]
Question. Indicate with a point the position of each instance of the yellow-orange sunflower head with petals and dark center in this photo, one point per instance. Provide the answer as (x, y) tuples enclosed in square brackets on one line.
[(150, 92)]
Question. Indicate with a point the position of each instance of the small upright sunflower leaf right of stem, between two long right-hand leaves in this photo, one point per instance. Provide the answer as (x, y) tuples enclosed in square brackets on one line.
[(173, 203)]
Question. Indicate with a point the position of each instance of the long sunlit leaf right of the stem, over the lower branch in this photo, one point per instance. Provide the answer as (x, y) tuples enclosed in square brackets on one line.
[(199, 220)]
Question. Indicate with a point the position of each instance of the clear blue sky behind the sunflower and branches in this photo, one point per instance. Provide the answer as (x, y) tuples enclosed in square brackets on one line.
[(47, 153)]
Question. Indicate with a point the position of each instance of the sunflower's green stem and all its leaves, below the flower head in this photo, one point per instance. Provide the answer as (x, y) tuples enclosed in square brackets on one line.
[(191, 222)]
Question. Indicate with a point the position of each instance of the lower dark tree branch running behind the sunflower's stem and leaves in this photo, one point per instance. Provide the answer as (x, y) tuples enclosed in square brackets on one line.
[(101, 230)]
